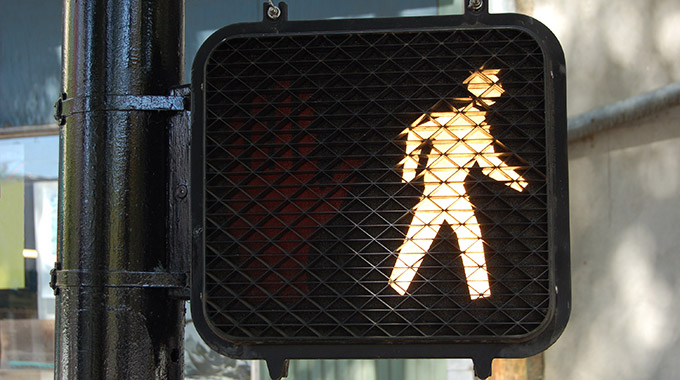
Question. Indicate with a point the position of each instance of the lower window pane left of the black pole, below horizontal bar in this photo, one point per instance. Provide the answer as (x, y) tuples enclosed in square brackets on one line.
[(28, 232)]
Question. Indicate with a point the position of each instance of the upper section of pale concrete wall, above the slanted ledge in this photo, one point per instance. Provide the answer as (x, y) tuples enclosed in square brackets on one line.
[(615, 49)]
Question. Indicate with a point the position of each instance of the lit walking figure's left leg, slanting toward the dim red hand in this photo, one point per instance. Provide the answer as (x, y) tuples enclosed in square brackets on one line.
[(417, 242)]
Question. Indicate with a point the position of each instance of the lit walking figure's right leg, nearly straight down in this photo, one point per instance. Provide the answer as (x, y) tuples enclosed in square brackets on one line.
[(472, 248)]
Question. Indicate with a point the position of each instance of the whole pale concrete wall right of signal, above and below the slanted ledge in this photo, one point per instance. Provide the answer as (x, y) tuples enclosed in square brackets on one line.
[(624, 192)]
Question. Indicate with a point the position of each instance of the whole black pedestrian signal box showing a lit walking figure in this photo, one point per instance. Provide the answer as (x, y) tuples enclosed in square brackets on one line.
[(380, 188)]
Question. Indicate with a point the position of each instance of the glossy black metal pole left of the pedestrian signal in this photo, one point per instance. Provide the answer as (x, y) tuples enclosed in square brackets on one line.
[(116, 318)]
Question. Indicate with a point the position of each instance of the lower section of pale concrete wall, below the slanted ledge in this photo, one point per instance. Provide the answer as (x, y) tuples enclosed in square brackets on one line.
[(625, 218)]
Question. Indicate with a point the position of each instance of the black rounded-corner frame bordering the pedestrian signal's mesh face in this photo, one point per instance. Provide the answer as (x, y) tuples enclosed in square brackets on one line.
[(556, 142)]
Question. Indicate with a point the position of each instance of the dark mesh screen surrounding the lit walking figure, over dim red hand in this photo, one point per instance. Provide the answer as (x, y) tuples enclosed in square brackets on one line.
[(306, 208)]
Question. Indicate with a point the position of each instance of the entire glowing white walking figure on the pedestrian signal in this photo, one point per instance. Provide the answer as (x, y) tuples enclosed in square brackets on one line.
[(457, 140)]
